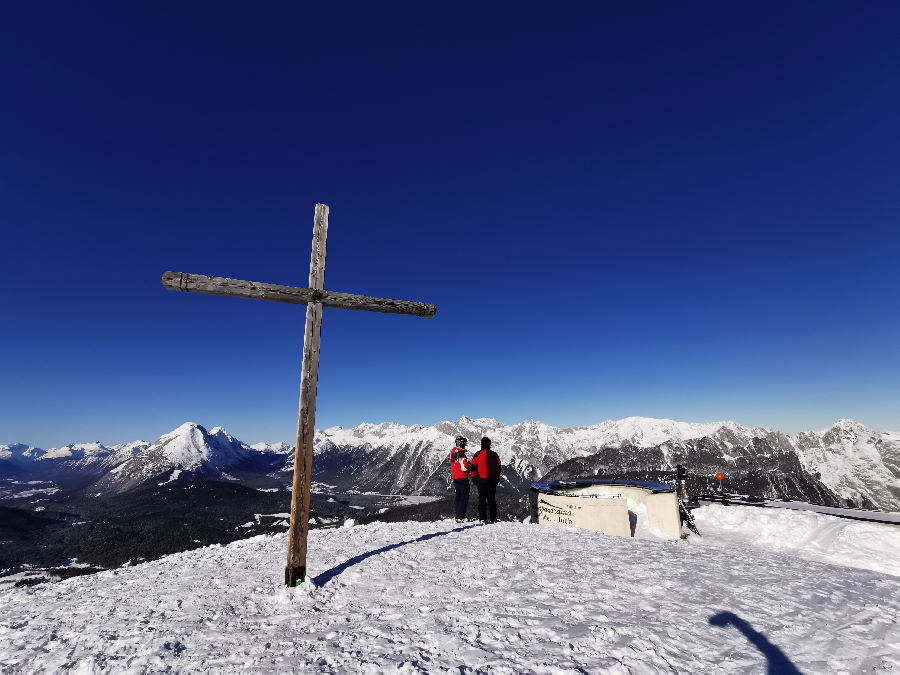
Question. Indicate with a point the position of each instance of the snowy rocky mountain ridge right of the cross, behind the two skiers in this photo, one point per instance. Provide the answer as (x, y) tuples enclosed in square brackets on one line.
[(845, 464)]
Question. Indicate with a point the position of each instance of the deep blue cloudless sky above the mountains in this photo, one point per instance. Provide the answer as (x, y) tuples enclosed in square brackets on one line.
[(683, 210)]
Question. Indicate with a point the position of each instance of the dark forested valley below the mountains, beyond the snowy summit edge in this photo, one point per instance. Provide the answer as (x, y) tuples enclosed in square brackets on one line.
[(60, 539)]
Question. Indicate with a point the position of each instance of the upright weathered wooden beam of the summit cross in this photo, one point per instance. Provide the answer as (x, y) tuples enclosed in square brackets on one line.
[(295, 572)]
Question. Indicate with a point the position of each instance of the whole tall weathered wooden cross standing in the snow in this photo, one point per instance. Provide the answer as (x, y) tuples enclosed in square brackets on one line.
[(314, 297)]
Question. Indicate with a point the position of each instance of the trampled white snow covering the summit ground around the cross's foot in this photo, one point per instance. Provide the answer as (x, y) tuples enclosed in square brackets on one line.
[(509, 597)]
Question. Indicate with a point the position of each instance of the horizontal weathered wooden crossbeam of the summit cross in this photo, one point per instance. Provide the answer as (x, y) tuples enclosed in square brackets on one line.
[(199, 283)]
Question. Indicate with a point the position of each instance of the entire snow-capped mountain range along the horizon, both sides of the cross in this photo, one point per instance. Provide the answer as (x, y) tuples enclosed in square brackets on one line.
[(845, 464)]
